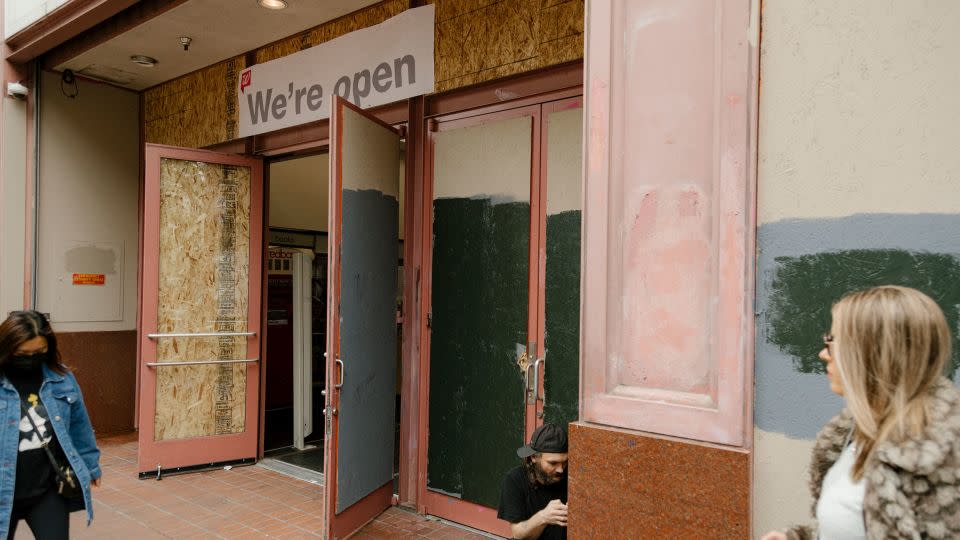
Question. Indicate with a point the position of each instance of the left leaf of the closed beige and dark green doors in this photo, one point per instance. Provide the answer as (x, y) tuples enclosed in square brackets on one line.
[(483, 299)]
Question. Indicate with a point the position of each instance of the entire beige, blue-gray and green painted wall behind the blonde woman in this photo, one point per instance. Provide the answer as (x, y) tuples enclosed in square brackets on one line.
[(858, 172)]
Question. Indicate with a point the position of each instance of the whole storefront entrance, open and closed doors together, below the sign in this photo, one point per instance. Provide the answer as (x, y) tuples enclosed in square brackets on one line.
[(497, 281)]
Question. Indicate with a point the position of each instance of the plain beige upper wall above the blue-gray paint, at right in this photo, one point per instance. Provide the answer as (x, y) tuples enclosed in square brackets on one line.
[(858, 108)]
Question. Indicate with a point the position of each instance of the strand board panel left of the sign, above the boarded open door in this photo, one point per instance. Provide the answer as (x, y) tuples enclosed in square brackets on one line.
[(195, 110)]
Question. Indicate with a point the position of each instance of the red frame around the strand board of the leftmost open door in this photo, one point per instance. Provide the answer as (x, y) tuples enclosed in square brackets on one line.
[(216, 448)]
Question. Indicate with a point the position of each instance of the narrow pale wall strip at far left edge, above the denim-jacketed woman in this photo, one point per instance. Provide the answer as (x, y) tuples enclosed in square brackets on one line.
[(13, 215)]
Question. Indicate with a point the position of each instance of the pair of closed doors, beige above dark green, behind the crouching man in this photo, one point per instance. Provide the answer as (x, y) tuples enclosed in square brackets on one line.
[(503, 327)]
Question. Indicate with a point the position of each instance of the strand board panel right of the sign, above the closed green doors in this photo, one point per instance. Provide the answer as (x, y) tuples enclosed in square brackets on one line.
[(483, 40)]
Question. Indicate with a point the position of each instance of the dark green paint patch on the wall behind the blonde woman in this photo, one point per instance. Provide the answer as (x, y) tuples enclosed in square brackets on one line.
[(804, 289)]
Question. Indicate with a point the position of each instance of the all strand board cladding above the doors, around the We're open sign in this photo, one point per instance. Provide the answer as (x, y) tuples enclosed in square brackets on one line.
[(475, 41)]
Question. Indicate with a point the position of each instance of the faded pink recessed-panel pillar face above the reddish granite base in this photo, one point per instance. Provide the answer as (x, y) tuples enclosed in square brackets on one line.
[(668, 218)]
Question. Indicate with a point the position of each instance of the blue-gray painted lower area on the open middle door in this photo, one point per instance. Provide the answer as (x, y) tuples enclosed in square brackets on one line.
[(368, 344)]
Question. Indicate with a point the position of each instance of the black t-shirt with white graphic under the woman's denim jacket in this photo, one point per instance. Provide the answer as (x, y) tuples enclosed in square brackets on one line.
[(35, 474)]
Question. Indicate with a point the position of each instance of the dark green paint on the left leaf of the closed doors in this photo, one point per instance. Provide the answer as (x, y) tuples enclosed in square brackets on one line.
[(479, 308)]
